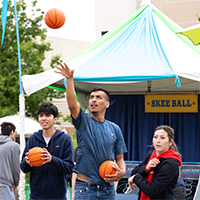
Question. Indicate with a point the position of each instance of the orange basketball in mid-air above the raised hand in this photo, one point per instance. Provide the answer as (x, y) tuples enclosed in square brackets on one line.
[(54, 18)]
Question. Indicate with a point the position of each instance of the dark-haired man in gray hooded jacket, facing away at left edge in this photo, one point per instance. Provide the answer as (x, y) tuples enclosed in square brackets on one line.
[(9, 162)]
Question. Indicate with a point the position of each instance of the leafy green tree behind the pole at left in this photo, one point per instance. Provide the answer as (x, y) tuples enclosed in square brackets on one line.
[(32, 48)]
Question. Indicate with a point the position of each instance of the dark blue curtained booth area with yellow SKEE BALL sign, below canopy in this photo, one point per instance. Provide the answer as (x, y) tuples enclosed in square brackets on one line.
[(139, 115)]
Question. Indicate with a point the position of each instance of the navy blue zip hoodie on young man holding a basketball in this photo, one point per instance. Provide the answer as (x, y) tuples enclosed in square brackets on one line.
[(49, 180)]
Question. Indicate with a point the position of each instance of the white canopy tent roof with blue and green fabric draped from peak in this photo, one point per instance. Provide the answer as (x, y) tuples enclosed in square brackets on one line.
[(143, 48)]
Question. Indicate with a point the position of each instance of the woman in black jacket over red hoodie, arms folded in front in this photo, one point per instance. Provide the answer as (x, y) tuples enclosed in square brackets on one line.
[(157, 175)]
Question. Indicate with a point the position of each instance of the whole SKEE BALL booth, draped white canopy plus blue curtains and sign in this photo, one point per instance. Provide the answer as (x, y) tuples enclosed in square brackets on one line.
[(153, 77)]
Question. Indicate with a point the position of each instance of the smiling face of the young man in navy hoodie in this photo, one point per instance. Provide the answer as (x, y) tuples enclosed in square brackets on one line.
[(46, 120)]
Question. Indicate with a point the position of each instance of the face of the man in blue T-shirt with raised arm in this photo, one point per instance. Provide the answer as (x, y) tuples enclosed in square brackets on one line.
[(98, 101)]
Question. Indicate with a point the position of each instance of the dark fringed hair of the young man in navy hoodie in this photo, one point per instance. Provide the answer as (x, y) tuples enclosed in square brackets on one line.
[(48, 108)]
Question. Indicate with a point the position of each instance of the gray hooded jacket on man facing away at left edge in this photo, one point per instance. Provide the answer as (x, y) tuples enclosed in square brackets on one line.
[(9, 161)]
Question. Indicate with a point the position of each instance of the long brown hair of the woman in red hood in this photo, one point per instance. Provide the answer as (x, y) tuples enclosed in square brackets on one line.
[(170, 133)]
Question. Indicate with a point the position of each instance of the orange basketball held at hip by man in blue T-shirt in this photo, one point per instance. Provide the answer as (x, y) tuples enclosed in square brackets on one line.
[(106, 168)]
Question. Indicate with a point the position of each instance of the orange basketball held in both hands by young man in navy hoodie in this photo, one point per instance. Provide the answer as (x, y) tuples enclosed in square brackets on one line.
[(34, 156)]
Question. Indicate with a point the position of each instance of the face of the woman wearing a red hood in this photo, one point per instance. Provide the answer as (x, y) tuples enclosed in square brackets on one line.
[(161, 141)]
